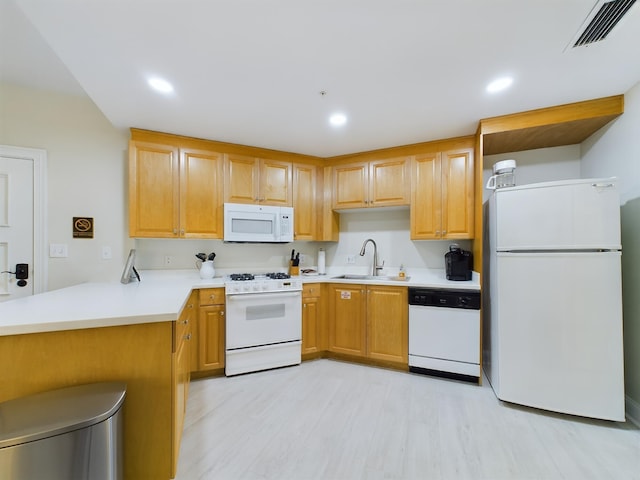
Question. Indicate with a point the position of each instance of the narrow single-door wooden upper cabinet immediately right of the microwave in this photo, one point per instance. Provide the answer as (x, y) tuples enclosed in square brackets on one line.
[(304, 202)]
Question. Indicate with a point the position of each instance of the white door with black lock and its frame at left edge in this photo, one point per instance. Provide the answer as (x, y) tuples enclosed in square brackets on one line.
[(21, 221)]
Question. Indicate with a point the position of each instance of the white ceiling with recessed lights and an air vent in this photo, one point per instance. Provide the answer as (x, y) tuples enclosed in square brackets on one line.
[(251, 71)]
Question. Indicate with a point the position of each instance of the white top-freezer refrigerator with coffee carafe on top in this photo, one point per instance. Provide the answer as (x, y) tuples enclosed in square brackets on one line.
[(552, 297)]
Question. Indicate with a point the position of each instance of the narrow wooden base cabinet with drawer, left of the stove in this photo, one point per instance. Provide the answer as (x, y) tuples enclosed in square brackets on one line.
[(210, 342)]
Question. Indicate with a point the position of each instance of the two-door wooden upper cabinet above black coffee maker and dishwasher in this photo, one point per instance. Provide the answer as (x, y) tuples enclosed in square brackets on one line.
[(442, 198)]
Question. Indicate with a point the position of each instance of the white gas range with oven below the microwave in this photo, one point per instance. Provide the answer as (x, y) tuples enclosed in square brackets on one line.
[(264, 322)]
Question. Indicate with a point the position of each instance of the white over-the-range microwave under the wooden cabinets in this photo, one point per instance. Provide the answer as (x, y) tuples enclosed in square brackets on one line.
[(257, 223)]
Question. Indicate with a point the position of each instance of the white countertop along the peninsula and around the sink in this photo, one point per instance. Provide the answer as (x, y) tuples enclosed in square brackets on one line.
[(158, 297)]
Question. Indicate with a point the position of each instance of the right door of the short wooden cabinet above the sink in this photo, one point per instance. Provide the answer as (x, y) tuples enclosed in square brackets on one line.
[(388, 182)]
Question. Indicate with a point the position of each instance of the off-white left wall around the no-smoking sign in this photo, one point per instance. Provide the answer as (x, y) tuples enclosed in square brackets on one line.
[(86, 176)]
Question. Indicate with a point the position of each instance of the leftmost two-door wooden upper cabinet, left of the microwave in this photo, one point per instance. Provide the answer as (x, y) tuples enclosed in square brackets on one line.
[(173, 192)]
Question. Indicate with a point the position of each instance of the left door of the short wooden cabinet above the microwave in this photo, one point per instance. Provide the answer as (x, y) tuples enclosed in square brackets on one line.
[(241, 175)]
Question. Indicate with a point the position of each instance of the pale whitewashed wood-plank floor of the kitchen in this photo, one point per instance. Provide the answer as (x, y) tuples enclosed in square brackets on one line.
[(332, 420)]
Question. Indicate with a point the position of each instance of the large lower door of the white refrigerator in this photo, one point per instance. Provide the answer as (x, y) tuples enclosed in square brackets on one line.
[(560, 332)]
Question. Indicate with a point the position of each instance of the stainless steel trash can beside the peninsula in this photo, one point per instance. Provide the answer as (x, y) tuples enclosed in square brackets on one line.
[(73, 433)]
